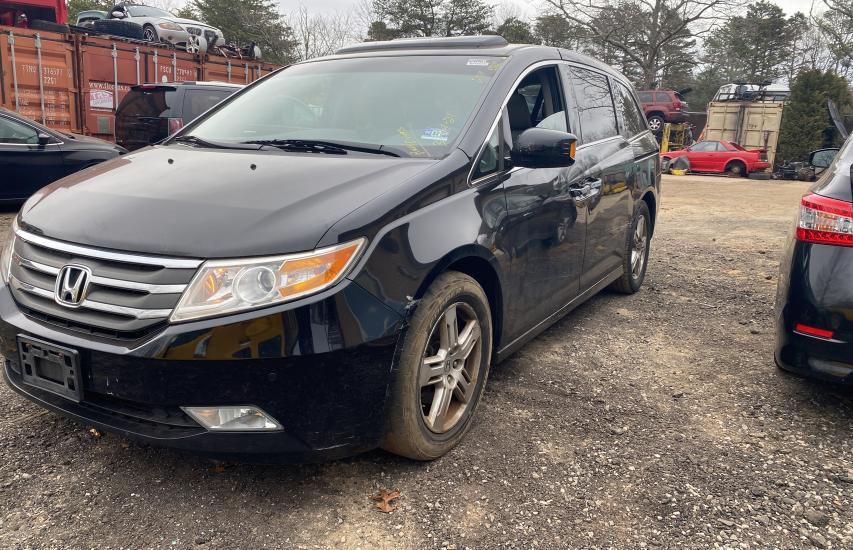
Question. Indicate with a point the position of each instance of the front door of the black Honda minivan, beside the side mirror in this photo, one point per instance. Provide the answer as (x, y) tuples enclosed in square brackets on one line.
[(546, 218)]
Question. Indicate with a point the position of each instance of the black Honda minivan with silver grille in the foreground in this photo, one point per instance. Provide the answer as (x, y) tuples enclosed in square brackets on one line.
[(330, 260)]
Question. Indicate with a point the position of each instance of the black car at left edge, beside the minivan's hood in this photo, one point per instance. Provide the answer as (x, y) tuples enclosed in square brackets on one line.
[(33, 155)]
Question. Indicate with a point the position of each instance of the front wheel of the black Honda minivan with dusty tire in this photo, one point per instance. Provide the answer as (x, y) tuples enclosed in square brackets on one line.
[(416, 430)]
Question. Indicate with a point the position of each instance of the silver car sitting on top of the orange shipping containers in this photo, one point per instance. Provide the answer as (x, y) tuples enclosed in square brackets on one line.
[(161, 26)]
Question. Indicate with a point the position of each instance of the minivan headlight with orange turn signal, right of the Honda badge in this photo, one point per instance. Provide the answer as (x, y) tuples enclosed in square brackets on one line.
[(228, 286)]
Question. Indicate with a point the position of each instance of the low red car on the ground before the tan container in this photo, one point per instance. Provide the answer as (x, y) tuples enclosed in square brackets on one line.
[(720, 156)]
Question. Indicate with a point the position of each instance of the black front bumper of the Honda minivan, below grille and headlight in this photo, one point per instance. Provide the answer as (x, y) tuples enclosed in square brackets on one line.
[(321, 367)]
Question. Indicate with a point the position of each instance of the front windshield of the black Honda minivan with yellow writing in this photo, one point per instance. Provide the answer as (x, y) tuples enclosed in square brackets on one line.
[(415, 105)]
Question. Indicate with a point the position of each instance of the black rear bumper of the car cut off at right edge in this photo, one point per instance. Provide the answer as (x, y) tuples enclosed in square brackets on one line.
[(815, 289)]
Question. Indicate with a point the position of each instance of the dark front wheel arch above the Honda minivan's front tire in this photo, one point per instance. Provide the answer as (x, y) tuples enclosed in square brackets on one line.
[(479, 264)]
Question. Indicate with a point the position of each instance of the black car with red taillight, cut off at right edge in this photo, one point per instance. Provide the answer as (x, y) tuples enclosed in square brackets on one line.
[(814, 304)]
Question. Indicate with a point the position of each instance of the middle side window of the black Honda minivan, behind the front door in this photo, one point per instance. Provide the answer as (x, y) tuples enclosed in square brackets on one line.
[(595, 106)]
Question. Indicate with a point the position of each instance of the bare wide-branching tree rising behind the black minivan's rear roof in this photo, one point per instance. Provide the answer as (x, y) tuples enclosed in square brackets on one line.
[(654, 27)]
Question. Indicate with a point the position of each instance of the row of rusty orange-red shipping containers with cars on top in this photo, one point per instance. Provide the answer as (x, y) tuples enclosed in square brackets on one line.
[(75, 82)]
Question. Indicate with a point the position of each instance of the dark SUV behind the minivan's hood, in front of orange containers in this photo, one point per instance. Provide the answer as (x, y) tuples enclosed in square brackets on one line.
[(149, 113)]
